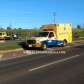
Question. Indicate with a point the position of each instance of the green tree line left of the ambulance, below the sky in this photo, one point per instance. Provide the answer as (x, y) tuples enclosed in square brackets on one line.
[(20, 32)]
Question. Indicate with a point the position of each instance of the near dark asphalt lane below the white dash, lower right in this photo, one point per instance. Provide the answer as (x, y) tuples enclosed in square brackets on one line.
[(70, 72)]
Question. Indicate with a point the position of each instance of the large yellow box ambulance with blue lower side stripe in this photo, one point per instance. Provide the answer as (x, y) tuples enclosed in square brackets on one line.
[(51, 35)]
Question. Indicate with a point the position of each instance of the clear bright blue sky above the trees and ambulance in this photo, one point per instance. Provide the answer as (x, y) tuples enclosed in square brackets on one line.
[(34, 13)]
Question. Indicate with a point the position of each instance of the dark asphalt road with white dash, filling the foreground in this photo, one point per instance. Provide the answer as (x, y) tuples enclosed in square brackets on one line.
[(50, 68)]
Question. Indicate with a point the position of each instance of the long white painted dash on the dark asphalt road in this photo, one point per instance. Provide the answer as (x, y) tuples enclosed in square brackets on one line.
[(54, 62)]
